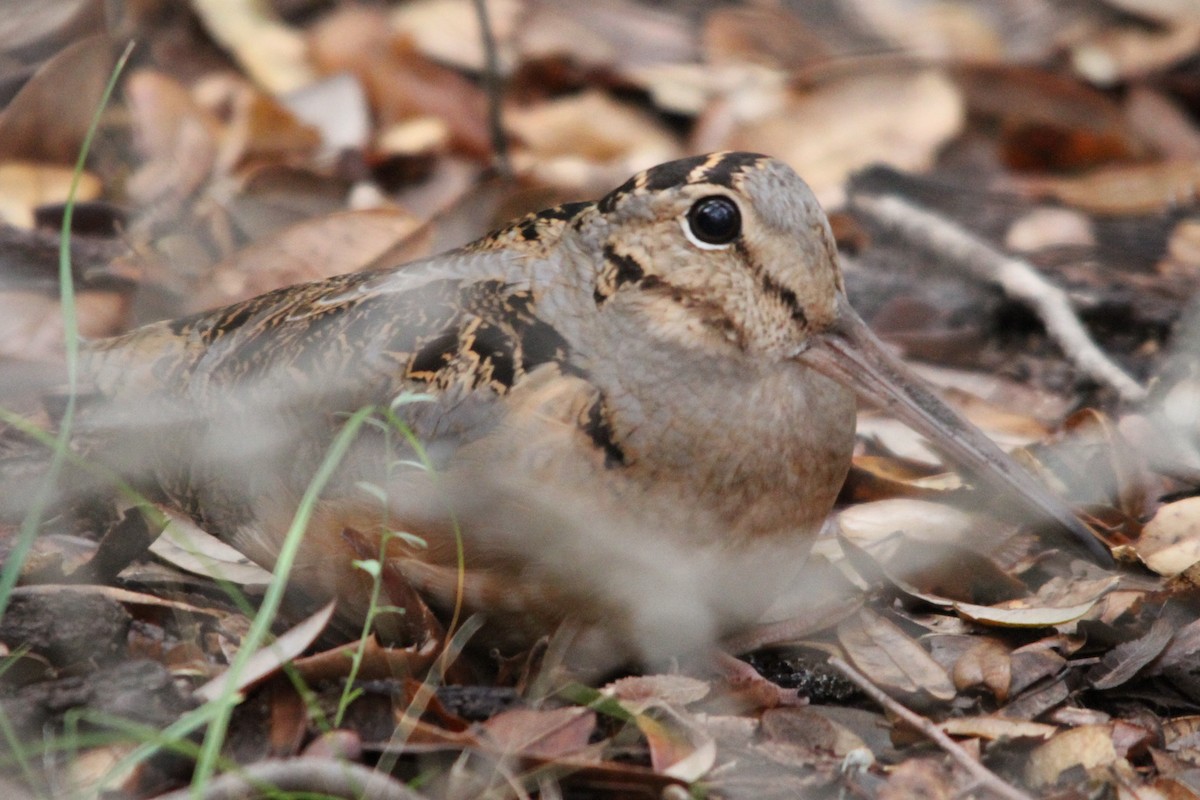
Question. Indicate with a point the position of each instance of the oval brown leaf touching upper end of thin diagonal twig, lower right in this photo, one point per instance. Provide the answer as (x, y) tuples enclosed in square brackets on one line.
[(892, 659)]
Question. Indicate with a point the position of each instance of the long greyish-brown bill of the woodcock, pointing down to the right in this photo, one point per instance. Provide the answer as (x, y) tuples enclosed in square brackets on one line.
[(853, 356)]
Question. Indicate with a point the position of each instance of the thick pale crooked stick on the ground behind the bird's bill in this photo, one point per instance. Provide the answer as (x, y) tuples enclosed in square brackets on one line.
[(1016, 276)]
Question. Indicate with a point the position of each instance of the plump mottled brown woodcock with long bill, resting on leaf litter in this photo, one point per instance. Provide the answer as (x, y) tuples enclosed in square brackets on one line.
[(640, 410)]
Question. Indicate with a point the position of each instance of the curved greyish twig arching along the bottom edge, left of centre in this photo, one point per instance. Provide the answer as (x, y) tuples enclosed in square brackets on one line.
[(321, 777)]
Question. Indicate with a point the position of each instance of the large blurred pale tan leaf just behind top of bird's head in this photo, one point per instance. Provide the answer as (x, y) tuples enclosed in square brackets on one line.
[(896, 118)]
